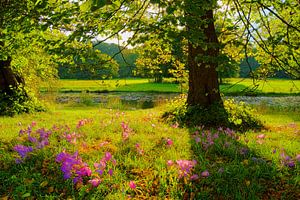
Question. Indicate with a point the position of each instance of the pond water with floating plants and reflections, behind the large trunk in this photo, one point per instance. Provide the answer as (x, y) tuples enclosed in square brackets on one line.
[(143, 100)]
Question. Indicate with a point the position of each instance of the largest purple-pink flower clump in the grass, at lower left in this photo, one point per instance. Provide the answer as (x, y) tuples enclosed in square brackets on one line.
[(73, 167)]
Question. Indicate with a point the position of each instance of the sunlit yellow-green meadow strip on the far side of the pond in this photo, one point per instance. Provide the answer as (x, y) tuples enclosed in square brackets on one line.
[(232, 86)]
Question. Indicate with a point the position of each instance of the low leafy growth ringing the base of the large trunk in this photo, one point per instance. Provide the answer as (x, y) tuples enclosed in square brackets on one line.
[(234, 115)]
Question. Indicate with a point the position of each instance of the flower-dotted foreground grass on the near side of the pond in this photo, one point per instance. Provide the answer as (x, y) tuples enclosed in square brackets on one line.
[(152, 159)]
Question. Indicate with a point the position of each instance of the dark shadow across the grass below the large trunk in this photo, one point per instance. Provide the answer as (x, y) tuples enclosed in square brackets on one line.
[(237, 172)]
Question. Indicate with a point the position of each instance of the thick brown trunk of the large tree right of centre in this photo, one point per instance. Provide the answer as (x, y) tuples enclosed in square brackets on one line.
[(202, 64)]
